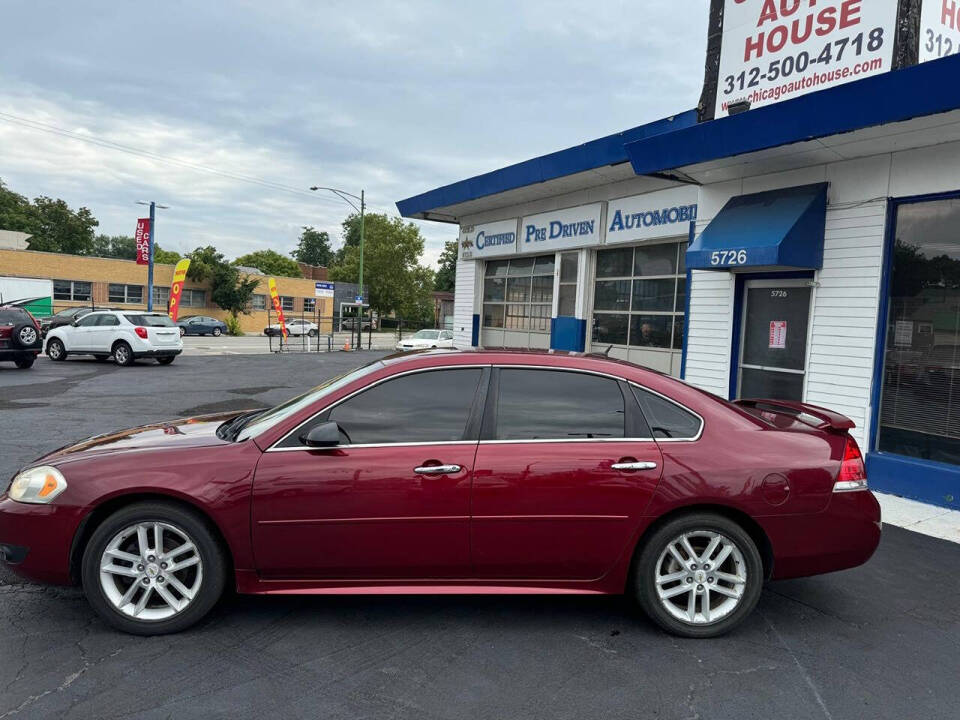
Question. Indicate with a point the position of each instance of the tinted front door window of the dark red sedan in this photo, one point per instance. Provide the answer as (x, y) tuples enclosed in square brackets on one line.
[(424, 407)]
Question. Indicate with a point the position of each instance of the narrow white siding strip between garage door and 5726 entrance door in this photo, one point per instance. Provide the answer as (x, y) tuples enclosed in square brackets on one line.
[(709, 330)]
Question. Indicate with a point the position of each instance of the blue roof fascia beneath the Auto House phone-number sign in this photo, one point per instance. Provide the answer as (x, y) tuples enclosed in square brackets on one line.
[(925, 89)]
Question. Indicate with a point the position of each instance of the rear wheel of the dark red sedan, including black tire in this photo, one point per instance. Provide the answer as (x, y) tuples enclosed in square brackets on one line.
[(699, 575)]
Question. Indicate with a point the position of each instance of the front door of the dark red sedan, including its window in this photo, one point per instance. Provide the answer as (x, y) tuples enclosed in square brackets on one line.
[(392, 501)]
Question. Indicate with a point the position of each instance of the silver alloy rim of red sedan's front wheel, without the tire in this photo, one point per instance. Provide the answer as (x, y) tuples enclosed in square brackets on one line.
[(151, 571)]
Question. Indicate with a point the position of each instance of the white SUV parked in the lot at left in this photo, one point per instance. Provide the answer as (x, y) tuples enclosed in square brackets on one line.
[(127, 335)]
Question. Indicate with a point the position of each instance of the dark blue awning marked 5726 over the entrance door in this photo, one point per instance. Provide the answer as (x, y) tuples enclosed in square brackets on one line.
[(778, 228)]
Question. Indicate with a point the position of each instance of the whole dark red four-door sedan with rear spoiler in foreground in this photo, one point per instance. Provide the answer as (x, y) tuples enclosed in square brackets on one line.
[(453, 472)]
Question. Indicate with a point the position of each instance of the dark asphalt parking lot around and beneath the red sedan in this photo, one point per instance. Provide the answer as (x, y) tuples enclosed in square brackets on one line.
[(880, 641)]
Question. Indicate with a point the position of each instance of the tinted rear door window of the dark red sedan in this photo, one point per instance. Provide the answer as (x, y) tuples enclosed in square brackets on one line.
[(558, 405)]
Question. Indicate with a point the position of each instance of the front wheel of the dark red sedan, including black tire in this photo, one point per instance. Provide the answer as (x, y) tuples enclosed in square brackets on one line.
[(153, 568)]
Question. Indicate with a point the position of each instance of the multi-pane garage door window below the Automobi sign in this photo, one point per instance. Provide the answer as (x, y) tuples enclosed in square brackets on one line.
[(640, 296)]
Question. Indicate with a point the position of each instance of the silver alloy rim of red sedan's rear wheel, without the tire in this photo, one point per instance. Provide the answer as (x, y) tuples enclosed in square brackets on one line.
[(701, 577)]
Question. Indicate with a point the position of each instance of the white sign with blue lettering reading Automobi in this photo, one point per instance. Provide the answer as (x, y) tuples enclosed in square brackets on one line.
[(666, 213)]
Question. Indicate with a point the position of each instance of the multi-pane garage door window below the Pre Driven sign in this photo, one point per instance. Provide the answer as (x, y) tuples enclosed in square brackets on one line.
[(518, 293)]
